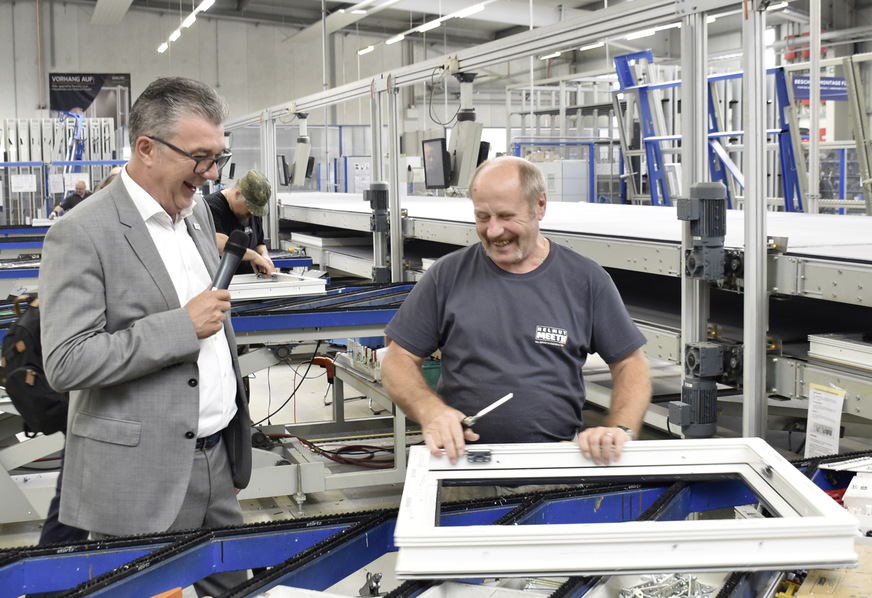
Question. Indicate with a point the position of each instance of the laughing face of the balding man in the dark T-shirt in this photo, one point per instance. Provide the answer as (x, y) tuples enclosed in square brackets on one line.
[(505, 220)]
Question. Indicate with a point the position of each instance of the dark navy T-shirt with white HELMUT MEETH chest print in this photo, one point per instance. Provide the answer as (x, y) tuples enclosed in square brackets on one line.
[(528, 334)]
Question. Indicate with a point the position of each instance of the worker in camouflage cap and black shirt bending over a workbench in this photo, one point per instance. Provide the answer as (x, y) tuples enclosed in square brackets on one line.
[(241, 207)]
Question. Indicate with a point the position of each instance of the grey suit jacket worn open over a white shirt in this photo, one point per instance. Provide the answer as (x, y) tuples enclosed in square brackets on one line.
[(114, 334)]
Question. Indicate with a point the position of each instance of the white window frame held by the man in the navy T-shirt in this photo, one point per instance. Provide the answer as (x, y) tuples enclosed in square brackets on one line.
[(807, 528)]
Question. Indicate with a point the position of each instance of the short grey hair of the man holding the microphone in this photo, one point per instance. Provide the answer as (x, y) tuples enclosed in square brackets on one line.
[(158, 110)]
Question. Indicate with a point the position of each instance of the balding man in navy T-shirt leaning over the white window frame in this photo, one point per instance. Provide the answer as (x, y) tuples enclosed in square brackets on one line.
[(515, 313)]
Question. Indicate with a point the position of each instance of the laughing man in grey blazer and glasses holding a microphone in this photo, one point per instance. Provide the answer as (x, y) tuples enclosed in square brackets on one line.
[(159, 435)]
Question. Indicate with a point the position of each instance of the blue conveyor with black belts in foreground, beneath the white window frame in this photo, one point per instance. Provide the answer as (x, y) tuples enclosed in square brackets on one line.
[(316, 553)]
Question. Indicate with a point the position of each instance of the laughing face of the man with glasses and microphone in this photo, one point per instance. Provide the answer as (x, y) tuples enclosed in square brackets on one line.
[(169, 176)]
